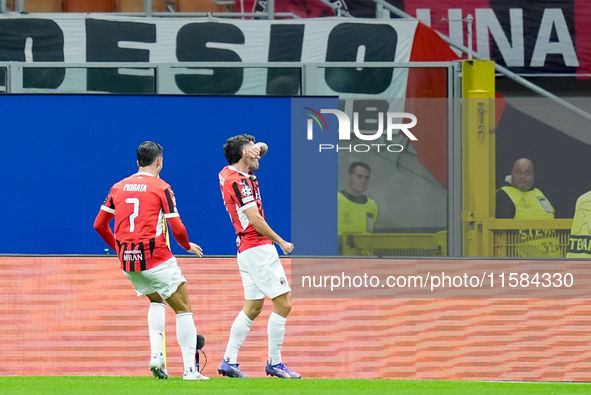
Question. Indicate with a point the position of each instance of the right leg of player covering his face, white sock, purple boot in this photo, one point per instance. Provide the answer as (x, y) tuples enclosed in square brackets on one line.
[(276, 333)]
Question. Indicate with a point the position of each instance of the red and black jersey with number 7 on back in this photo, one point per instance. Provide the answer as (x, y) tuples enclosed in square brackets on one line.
[(140, 204)]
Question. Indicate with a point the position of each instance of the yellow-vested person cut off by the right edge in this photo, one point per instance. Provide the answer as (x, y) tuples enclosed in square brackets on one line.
[(579, 245)]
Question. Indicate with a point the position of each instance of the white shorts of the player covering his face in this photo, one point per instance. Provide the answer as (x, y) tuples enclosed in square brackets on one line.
[(262, 273)]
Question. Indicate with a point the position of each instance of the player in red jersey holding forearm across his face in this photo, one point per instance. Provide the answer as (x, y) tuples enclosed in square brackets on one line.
[(260, 268)]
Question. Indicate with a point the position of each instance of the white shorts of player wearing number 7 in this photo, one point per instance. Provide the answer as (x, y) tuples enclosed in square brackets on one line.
[(164, 279)]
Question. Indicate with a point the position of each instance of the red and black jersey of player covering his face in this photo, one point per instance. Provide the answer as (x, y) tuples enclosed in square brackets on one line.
[(241, 191)]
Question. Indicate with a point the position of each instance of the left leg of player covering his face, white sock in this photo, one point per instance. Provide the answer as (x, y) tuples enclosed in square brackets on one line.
[(238, 332)]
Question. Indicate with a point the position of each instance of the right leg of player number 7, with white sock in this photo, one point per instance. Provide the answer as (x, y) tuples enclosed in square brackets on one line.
[(186, 333)]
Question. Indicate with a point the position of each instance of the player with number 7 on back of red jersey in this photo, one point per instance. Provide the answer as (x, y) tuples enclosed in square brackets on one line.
[(139, 204)]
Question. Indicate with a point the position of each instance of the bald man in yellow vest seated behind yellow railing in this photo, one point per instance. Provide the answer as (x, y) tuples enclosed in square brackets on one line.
[(518, 200)]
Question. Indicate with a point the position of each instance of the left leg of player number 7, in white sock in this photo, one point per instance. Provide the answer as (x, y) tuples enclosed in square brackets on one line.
[(156, 324)]
